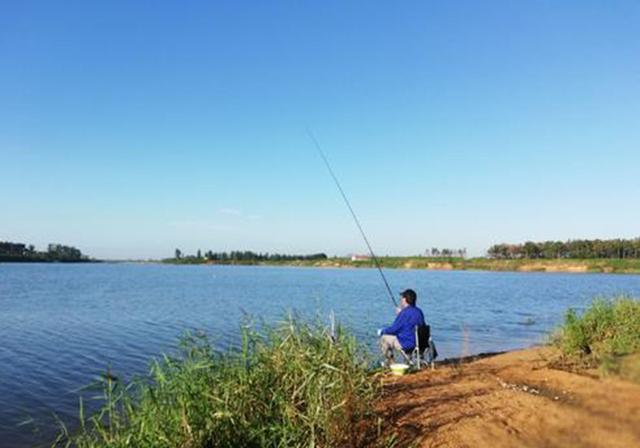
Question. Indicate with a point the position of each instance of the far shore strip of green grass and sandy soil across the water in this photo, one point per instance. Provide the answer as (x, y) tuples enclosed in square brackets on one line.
[(616, 266)]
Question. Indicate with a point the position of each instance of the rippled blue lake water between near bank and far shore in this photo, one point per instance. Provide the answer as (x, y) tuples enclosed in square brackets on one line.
[(61, 325)]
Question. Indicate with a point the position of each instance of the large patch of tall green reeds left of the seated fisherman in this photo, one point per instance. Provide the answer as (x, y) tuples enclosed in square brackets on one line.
[(289, 386)]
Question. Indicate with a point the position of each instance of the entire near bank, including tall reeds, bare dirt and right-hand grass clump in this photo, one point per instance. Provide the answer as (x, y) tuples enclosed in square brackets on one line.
[(303, 384)]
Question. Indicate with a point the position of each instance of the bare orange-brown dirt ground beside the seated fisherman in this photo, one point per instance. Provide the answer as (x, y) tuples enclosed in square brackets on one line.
[(510, 400)]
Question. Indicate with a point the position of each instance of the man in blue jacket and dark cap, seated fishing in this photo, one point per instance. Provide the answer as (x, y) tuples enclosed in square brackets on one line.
[(401, 334)]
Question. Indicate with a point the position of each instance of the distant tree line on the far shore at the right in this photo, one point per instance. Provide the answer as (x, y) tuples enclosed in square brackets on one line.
[(618, 248)]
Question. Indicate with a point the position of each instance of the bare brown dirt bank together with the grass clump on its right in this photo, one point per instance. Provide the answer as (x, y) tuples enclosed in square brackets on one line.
[(583, 390)]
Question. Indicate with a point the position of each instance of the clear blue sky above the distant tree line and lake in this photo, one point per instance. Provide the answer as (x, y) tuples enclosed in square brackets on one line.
[(128, 129)]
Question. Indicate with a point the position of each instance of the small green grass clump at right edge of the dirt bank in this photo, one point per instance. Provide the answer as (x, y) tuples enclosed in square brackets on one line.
[(606, 332)]
